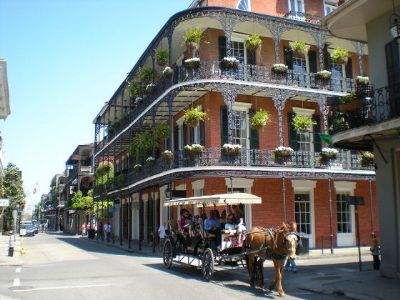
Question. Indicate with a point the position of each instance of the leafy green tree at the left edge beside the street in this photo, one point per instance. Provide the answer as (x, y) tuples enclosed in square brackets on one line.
[(13, 190)]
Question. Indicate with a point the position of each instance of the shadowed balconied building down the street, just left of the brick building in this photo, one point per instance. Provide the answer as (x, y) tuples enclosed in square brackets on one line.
[(78, 177)]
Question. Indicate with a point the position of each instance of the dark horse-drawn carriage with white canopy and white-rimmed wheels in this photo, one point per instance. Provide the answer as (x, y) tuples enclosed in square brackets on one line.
[(198, 247)]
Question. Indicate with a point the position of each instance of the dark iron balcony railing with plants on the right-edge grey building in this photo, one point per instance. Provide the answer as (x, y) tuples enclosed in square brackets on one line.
[(368, 107)]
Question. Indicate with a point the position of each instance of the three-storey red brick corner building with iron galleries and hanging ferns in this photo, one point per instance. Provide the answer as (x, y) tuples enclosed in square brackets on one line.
[(149, 150)]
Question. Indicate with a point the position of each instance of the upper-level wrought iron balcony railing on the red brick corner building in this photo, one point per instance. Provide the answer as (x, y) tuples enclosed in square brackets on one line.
[(211, 70)]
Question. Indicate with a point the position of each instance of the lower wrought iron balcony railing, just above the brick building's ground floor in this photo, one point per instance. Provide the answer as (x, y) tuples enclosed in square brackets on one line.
[(345, 160)]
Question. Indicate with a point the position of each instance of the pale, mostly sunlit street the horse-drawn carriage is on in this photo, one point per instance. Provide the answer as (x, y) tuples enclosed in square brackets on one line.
[(63, 267)]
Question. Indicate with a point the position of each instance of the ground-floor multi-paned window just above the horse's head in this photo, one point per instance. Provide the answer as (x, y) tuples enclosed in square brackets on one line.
[(302, 211)]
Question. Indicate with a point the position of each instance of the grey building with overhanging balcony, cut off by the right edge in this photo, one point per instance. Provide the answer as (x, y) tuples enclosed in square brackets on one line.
[(375, 123)]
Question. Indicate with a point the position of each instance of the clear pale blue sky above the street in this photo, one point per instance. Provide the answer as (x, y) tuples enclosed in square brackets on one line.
[(65, 59)]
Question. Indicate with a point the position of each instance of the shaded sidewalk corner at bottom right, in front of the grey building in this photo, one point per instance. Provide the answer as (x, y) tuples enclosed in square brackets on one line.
[(365, 285)]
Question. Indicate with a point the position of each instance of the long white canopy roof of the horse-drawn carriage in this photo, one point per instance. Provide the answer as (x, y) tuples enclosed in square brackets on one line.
[(216, 200)]
